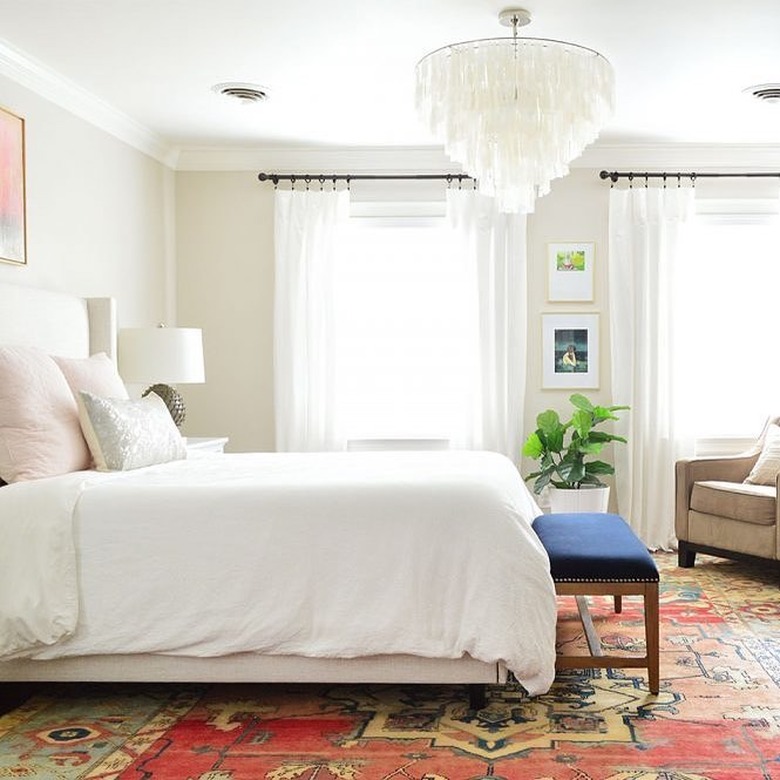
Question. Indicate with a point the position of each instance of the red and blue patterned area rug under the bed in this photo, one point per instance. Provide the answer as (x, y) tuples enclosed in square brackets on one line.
[(717, 716)]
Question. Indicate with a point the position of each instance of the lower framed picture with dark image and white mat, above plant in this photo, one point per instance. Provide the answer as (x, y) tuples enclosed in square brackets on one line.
[(570, 350)]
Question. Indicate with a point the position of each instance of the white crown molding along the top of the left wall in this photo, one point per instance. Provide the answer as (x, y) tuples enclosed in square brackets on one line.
[(52, 86)]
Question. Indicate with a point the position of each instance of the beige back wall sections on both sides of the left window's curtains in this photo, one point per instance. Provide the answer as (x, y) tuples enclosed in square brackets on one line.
[(224, 228)]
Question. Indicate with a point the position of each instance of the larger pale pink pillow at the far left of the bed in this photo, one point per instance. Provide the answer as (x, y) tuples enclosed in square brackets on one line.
[(40, 435)]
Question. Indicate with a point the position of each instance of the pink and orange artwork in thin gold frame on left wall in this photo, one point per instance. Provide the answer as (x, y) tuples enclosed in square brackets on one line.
[(13, 230)]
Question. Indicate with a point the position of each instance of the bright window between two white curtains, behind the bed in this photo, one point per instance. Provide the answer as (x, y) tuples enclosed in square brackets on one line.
[(401, 330)]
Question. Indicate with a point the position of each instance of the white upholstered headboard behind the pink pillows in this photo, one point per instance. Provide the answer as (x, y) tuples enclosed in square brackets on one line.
[(59, 323)]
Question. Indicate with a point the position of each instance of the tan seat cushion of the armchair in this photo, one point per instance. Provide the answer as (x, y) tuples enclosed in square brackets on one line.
[(735, 500)]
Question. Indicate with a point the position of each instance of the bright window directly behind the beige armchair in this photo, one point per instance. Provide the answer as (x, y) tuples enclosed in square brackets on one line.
[(726, 339)]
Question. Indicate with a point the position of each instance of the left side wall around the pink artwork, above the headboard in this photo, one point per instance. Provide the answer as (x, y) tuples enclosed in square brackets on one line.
[(97, 219)]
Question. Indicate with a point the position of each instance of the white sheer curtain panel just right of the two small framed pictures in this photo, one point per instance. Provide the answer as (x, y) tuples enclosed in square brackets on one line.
[(645, 226)]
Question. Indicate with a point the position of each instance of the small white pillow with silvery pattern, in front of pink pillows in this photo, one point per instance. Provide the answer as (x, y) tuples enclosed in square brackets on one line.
[(125, 434)]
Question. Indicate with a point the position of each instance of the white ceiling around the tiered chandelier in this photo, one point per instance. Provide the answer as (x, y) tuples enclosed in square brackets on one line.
[(341, 72)]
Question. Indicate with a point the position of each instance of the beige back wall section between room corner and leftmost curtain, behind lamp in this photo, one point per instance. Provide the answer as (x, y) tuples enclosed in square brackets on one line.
[(224, 229)]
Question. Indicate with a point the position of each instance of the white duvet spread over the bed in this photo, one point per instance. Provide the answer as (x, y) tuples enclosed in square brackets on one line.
[(315, 554)]
